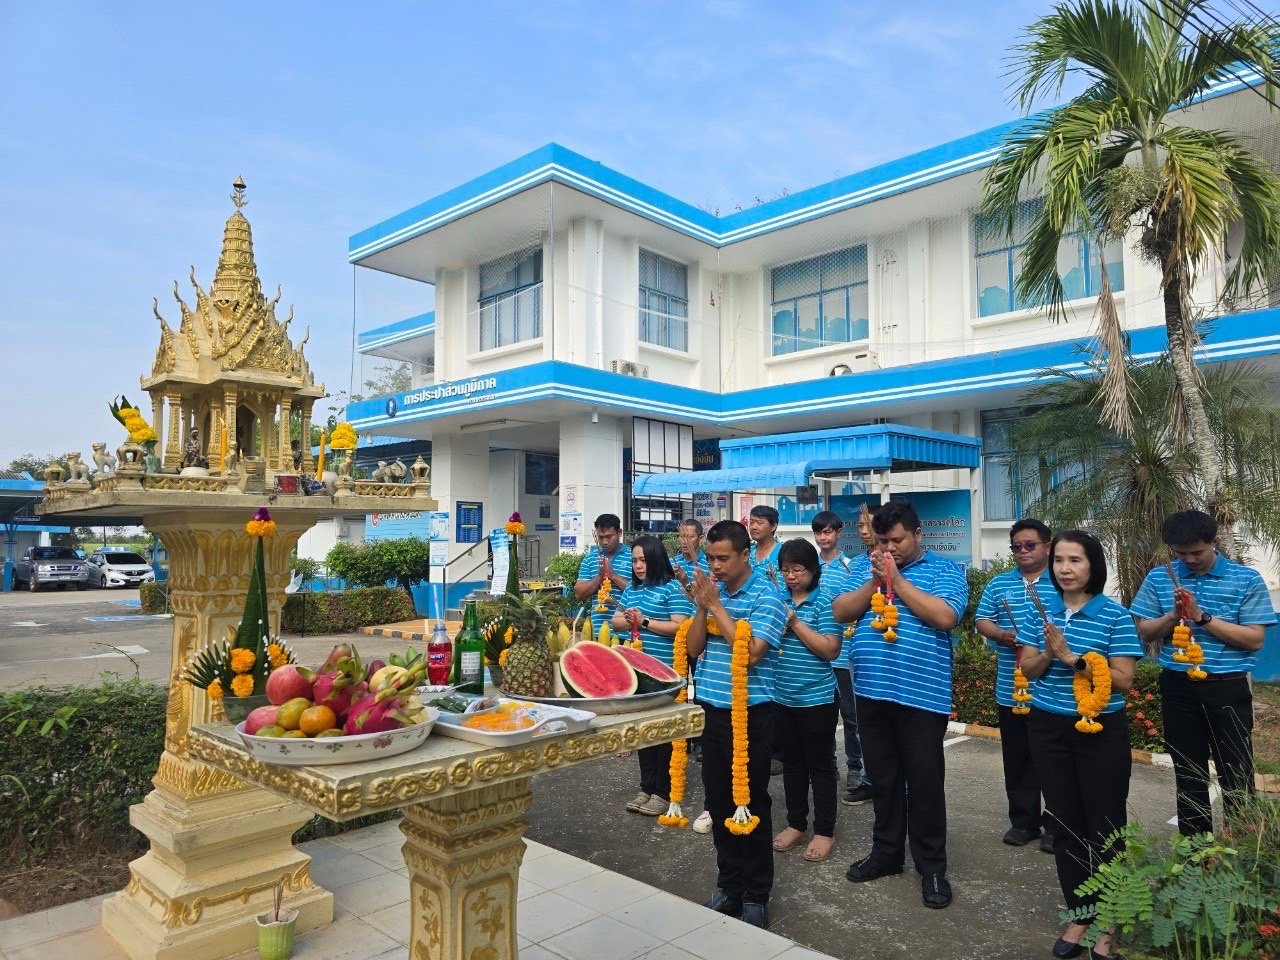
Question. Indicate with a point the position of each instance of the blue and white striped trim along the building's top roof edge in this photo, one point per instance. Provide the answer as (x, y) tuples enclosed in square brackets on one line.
[(559, 163)]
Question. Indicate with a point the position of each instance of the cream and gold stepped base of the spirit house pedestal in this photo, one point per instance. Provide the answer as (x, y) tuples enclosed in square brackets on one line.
[(218, 848)]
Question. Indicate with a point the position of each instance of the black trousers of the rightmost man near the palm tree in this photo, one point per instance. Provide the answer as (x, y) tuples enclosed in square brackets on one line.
[(1203, 719)]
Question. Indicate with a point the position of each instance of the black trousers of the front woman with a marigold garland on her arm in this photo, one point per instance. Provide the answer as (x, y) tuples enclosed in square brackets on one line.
[(1086, 784)]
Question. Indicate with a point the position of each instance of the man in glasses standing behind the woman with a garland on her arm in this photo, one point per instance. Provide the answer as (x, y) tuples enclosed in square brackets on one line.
[(1004, 606)]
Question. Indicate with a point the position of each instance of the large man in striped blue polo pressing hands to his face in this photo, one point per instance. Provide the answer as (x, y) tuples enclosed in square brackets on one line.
[(903, 691)]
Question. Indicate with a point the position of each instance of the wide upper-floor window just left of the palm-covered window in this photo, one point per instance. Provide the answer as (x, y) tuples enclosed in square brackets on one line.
[(820, 303)]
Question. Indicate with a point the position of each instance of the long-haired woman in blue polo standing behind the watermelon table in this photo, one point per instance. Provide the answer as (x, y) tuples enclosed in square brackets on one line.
[(656, 602)]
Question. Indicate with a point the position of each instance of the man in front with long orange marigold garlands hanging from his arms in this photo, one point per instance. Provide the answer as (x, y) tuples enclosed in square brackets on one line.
[(744, 863)]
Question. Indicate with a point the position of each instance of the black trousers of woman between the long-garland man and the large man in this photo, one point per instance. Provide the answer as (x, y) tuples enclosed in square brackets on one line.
[(808, 739)]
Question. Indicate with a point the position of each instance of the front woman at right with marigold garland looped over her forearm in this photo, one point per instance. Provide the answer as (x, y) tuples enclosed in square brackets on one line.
[(1085, 775)]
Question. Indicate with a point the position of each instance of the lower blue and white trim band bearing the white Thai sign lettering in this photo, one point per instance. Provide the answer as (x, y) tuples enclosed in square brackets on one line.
[(1235, 337)]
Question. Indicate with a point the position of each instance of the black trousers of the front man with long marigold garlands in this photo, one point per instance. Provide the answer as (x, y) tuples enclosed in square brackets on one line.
[(744, 863)]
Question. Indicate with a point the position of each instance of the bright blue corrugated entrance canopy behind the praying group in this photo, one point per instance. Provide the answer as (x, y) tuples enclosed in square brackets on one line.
[(793, 460)]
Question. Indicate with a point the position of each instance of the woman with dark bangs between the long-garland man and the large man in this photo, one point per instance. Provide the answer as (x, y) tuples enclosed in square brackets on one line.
[(804, 688)]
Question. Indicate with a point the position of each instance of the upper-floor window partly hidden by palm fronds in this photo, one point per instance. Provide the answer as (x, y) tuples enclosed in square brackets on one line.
[(999, 259)]
